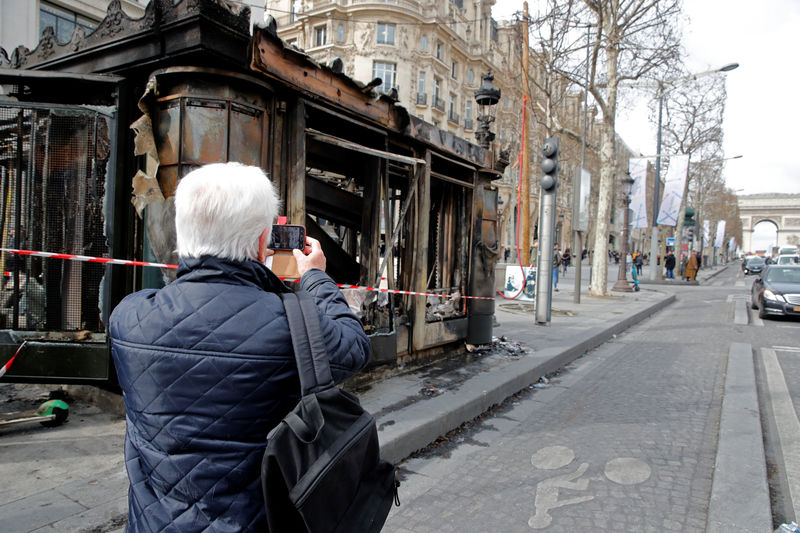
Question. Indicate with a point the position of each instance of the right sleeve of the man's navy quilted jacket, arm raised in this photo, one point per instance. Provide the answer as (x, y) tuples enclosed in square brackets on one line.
[(348, 346)]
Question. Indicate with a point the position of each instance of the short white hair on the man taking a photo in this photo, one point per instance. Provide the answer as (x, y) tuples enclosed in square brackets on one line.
[(221, 209)]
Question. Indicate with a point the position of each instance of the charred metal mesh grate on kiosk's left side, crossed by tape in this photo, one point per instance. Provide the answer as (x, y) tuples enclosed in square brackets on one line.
[(52, 184)]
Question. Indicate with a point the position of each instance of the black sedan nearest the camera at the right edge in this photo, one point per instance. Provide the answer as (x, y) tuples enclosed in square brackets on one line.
[(777, 291)]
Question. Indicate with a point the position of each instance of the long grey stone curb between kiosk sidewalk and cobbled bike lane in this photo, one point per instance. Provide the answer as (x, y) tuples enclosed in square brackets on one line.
[(423, 422)]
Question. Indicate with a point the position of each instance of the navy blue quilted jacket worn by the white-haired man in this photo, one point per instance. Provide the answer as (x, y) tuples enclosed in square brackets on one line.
[(207, 369)]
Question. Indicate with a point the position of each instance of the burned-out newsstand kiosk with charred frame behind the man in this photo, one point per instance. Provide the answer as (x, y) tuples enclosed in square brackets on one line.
[(97, 132)]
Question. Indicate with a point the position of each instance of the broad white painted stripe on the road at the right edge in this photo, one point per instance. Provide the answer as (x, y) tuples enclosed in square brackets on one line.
[(787, 423)]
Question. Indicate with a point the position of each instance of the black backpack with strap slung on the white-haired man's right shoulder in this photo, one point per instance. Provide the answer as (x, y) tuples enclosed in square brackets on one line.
[(322, 470)]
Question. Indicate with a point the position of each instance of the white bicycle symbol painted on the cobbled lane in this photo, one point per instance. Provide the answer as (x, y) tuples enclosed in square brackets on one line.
[(622, 470)]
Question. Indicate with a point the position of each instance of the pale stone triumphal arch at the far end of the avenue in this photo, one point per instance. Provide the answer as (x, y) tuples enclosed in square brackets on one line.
[(783, 210)]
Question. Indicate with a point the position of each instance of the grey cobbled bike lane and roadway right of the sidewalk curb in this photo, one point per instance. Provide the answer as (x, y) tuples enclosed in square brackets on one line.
[(624, 439)]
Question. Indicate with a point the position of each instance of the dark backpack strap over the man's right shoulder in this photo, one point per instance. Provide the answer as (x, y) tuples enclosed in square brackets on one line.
[(310, 352)]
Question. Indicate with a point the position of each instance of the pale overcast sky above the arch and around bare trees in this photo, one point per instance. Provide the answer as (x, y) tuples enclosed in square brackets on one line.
[(762, 115)]
